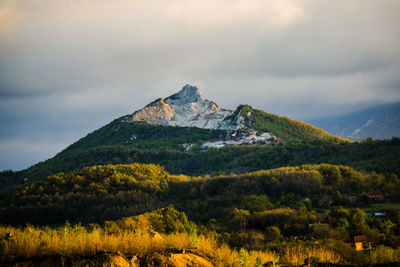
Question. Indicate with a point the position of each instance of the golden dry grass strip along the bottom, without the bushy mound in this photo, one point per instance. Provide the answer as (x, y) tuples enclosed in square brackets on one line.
[(77, 241)]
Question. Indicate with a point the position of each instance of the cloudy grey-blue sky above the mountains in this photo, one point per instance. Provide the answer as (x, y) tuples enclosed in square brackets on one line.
[(68, 67)]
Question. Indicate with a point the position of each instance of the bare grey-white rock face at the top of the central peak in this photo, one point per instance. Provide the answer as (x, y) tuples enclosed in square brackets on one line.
[(185, 108)]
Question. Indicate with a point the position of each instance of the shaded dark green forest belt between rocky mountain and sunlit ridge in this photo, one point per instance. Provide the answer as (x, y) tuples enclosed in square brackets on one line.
[(370, 155)]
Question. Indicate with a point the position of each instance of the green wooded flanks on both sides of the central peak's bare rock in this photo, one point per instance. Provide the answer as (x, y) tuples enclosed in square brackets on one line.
[(145, 136)]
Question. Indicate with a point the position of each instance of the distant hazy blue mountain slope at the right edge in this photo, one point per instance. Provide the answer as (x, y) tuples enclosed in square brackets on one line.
[(380, 122)]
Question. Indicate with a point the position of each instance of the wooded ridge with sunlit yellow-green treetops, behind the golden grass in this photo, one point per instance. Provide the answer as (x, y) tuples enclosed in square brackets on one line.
[(99, 193)]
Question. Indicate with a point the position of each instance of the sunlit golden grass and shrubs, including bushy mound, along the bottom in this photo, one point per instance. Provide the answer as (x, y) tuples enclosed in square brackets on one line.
[(151, 235)]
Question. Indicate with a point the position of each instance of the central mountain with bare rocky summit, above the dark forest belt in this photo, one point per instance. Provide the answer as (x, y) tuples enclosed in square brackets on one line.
[(186, 118)]
